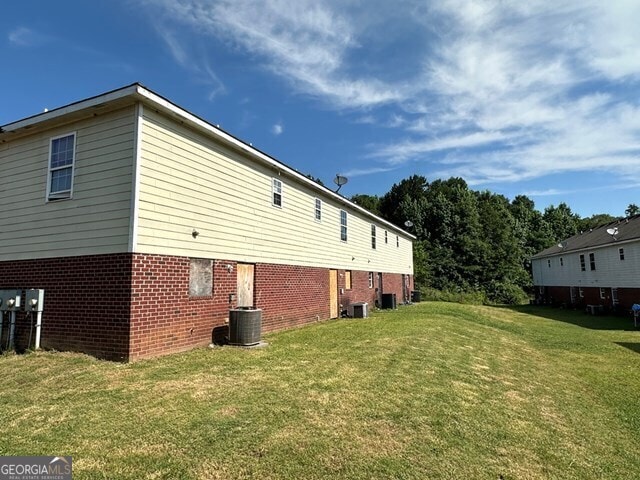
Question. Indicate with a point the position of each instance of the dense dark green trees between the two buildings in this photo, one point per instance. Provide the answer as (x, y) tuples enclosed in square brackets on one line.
[(475, 241)]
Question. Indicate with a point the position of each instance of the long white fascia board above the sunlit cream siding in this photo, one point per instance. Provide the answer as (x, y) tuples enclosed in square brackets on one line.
[(166, 105)]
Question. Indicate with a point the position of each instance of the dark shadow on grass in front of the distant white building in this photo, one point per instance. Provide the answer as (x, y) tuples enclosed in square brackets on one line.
[(577, 317)]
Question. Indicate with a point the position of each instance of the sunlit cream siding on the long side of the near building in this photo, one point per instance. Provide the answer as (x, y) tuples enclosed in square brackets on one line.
[(189, 181)]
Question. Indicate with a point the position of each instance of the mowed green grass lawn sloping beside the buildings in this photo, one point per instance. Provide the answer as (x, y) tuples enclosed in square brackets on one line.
[(433, 390)]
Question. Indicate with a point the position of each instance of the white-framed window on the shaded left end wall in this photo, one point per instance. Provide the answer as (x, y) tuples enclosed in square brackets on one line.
[(61, 160)]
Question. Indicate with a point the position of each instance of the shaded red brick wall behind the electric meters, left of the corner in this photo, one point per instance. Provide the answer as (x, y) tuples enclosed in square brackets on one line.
[(86, 302)]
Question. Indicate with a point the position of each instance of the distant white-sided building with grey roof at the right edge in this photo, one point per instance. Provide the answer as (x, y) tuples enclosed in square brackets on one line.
[(600, 267)]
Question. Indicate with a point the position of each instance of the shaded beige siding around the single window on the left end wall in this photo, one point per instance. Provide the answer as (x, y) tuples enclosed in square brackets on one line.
[(96, 219)]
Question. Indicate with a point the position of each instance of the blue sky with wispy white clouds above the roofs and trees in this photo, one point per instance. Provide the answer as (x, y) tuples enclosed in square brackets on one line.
[(517, 97)]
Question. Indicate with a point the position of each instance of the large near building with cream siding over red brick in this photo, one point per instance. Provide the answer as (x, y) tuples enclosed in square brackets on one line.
[(145, 224)]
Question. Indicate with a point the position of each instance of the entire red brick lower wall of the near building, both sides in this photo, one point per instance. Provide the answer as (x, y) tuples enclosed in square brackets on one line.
[(131, 306)]
